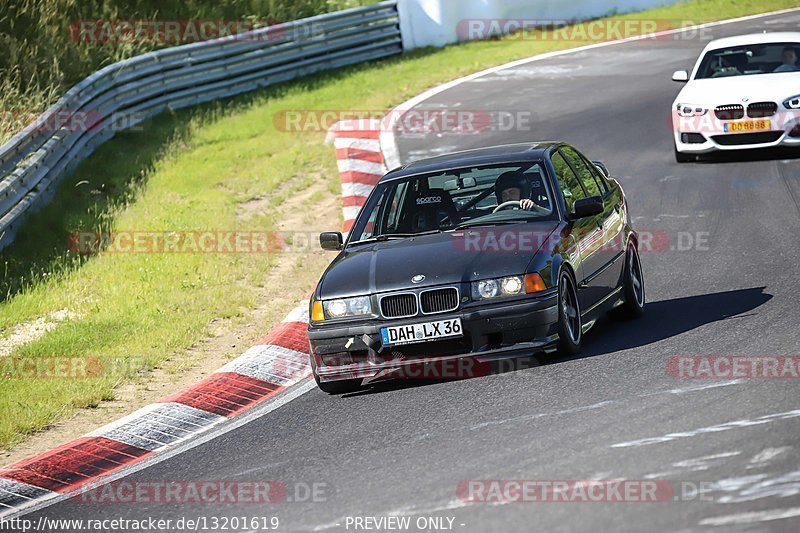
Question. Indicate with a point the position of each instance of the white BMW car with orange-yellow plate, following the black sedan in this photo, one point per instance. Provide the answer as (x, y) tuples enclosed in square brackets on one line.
[(744, 92)]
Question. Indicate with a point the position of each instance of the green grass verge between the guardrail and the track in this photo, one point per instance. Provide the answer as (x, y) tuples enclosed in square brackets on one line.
[(190, 170)]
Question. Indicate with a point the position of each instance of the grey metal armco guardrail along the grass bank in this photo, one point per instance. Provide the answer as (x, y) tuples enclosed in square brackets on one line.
[(128, 92)]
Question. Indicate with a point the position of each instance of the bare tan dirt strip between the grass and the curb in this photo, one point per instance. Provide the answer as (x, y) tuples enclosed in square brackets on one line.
[(291, 279)]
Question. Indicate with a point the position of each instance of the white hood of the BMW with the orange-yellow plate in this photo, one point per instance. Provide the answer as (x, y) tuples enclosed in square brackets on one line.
[(757, 88)]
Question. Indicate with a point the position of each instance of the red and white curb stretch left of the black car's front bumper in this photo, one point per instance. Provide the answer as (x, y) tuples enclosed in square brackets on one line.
[(279, 361)]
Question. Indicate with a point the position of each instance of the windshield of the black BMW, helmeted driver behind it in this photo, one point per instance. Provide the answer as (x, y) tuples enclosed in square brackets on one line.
[(445, 201)]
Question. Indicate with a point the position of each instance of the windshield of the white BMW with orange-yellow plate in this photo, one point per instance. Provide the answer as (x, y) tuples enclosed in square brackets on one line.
[(748, 60)]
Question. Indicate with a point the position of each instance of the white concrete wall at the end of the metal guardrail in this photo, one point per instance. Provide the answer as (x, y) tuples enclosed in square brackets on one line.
[(436, 22)]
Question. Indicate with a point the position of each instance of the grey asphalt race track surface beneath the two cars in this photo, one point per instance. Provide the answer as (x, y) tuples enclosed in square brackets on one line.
[(402, 448)]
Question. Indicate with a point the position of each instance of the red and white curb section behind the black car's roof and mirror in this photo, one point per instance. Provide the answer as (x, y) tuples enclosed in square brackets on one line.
[(360, 159)]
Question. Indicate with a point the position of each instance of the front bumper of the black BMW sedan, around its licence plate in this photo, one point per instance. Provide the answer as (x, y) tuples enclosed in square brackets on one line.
[(491, 331)]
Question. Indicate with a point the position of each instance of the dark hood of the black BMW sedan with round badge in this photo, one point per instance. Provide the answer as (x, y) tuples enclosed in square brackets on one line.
[(443, 258)]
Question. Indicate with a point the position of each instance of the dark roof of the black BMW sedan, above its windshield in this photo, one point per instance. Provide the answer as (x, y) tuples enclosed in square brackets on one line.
[(505, 153)]
